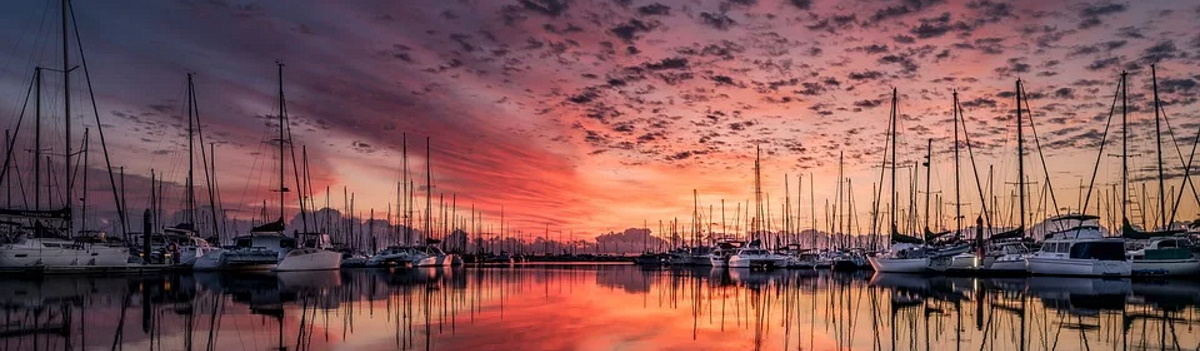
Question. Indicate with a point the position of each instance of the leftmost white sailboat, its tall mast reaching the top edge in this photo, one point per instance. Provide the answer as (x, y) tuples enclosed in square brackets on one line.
[(40, 239)]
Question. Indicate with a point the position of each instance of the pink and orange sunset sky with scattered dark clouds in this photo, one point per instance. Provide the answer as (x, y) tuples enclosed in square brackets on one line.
[(596, 116)]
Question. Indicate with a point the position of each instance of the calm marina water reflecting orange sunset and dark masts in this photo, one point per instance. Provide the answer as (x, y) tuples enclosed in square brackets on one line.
[(593, 308)]
